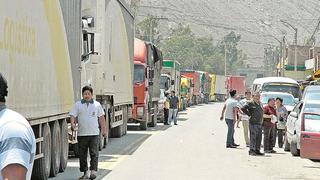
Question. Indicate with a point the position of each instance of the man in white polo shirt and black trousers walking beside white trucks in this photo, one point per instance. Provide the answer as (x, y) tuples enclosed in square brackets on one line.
[(90, 117)]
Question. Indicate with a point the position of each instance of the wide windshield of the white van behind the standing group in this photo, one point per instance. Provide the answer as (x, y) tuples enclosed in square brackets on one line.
[(289, 88)]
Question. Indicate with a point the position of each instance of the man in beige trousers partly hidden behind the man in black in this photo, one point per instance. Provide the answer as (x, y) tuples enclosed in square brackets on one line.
[(245, 118)]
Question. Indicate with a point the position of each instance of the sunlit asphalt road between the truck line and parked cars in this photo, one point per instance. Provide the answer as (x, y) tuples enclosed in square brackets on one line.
[(195, 149)]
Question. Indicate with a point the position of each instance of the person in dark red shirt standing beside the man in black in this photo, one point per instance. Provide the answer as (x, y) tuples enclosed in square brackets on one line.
[(269, 112)]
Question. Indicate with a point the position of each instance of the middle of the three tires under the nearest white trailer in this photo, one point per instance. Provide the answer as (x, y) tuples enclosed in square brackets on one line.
[(55, 149)]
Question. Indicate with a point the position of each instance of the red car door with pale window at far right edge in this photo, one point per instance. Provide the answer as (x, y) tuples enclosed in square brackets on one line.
[(310, 136)]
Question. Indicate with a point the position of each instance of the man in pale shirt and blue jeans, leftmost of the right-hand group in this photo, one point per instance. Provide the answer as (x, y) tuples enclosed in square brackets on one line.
[(230, 110)]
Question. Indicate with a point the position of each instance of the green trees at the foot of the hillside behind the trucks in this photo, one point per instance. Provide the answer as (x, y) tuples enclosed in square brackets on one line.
[(198, 53)]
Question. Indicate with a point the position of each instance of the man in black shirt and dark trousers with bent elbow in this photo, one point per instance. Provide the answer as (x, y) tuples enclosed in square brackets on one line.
[(254, 110)]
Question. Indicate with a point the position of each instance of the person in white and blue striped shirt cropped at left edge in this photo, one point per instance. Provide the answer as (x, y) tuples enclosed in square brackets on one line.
[(17, 141)]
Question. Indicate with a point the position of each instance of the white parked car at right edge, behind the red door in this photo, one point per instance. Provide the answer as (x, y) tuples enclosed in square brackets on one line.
[(293, 133)]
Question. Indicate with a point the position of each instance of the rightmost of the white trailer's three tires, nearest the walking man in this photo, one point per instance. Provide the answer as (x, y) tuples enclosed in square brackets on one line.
[(64, 145)]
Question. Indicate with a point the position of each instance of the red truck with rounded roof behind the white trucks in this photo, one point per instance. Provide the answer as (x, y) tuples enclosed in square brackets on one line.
[(147, 72)]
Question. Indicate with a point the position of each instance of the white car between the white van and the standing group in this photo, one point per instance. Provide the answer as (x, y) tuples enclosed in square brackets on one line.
[(288, 100)]
